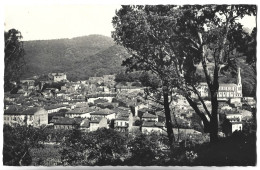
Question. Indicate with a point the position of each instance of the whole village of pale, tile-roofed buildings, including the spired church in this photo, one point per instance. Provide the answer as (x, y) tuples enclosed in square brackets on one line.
[(100, 102)]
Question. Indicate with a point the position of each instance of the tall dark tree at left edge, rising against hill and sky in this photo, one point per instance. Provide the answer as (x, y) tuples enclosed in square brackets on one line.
[(14, 57)]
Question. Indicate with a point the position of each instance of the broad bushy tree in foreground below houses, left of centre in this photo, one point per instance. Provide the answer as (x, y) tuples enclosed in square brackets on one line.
[(101, 147)]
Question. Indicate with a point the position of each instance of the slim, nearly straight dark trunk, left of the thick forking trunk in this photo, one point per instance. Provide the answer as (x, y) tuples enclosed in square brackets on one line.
[(168, 116)]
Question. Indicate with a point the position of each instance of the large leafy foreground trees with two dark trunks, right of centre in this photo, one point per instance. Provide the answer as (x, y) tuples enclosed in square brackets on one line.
[(170, 41)]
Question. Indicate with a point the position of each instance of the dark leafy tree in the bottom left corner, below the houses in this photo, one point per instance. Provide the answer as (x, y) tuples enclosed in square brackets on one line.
[(18, 141)]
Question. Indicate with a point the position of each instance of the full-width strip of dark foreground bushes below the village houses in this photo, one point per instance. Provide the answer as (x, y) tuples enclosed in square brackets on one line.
[(108, 147)]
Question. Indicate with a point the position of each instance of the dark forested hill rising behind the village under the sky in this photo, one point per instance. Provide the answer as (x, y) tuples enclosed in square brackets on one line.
[(79, 57)]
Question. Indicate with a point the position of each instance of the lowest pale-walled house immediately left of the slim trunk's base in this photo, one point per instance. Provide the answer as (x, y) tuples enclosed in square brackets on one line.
[(149, 127)]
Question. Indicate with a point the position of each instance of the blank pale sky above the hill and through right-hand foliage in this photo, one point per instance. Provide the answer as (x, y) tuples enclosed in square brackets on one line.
[(54, 21)]
